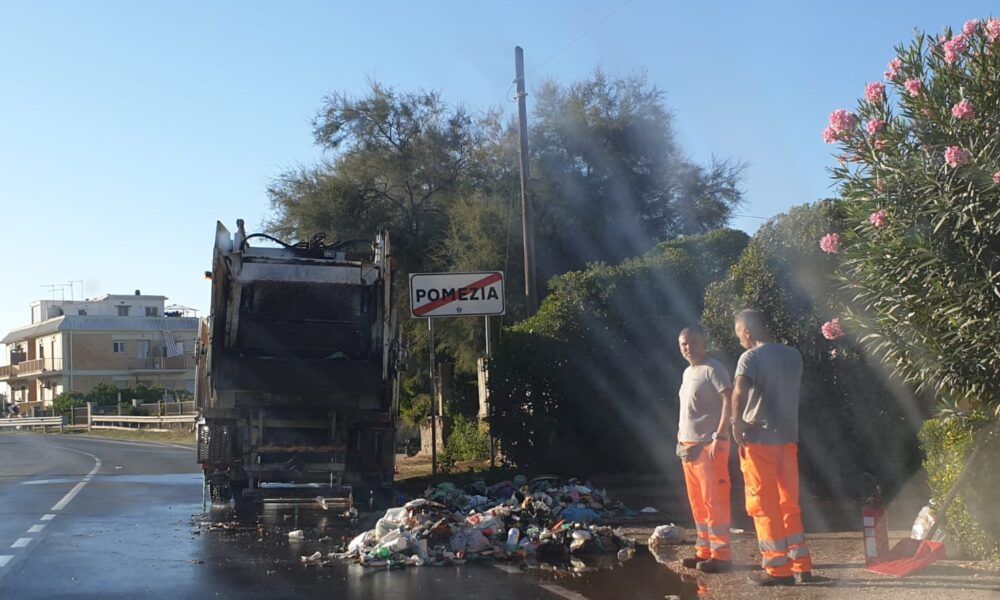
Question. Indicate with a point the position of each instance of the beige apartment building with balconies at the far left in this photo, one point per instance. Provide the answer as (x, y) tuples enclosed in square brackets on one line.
[(72, 345)]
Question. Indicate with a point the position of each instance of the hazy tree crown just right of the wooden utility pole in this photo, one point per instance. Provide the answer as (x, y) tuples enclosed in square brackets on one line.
[(611, 178)]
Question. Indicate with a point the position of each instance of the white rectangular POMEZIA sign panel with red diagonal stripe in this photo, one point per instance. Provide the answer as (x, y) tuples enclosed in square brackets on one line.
[(456, 294)]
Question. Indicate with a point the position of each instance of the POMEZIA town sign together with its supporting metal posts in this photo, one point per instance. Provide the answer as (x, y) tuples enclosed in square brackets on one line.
[(434, 295)]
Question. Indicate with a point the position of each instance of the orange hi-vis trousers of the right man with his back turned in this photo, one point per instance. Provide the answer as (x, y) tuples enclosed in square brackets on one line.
[(771, 475)]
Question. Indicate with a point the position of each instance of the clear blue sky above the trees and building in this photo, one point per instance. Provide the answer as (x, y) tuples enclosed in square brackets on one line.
[(128, 128)]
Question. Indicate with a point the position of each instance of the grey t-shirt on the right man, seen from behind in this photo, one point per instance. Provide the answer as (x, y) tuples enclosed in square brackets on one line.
[(772, 409)]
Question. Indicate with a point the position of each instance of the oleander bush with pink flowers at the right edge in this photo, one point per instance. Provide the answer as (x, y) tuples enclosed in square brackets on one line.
[(924, 275)]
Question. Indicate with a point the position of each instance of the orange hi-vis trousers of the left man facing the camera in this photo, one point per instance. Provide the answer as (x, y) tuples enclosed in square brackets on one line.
[(708, 492)]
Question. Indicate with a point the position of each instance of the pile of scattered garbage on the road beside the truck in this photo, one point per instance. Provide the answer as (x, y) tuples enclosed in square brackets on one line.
[(545, 519)]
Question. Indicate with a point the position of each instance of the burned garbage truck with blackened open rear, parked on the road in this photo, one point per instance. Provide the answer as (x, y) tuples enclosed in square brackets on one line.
[(296, 371)]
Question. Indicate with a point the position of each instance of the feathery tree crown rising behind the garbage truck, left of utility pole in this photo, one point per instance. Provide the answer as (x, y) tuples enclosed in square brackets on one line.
[(394, 159)]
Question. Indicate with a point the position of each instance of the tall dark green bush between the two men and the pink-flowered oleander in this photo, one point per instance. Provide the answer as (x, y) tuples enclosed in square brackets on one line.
[(852, 418)]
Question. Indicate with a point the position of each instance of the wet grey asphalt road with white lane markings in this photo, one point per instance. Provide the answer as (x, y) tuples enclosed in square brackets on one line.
[(90, 518)]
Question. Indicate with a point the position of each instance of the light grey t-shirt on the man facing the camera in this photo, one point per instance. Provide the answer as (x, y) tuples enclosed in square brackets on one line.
[(701, 402)]
